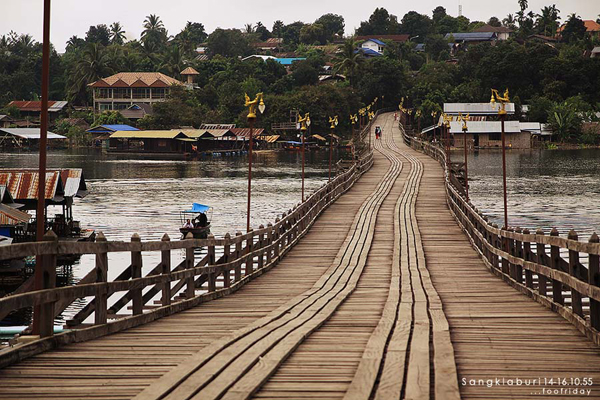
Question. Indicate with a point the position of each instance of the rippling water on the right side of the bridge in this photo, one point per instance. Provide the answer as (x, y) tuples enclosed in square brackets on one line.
[(546, 188)]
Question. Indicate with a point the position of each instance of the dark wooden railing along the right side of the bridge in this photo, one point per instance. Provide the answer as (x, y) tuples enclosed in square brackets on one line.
[(561, 273)]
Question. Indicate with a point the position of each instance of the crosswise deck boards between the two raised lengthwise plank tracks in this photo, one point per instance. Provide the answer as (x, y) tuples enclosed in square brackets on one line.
[(324, 364)]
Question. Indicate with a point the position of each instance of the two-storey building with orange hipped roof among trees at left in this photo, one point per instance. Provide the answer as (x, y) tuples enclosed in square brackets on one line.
[(122, 90)]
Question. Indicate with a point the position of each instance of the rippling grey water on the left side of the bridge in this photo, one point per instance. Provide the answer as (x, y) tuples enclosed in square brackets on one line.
[(129, 194)]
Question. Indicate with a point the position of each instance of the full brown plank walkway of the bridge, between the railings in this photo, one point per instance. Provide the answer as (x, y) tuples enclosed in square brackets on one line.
[(384, 298)]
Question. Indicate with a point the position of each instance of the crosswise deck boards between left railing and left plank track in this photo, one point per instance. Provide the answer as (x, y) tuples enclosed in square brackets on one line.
[(141, 355)]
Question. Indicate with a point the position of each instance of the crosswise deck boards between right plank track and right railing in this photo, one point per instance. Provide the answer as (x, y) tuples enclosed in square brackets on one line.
[(496, 331)]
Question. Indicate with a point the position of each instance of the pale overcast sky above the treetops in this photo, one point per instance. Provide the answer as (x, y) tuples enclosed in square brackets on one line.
[(73, 17)]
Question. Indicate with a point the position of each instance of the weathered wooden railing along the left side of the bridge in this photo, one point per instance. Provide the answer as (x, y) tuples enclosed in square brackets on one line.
[(243, 257)]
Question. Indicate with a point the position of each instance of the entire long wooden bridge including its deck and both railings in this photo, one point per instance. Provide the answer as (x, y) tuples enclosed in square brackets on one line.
[(383, 284)]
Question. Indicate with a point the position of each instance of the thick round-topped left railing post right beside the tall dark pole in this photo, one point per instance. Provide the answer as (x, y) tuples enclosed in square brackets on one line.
[(43, 315)]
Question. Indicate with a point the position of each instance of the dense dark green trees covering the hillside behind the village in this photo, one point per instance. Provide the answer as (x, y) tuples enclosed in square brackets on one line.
[(559, 81)]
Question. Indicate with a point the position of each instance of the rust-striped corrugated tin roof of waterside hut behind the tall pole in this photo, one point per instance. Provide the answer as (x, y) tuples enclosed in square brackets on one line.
[(23, 183)]
